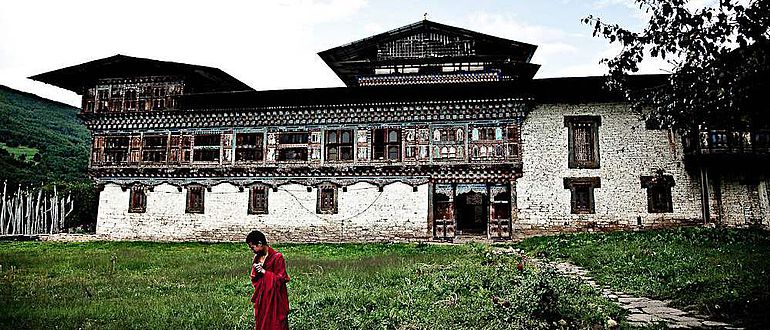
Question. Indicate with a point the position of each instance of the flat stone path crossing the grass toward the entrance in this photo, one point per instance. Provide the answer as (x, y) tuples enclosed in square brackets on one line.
[(642, 311)]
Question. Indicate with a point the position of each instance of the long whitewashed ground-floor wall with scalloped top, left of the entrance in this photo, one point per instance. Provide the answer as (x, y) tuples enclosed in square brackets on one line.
[(396, 214)]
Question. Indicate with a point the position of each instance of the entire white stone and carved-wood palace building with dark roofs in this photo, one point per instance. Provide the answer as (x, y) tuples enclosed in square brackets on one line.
[(441, 133)]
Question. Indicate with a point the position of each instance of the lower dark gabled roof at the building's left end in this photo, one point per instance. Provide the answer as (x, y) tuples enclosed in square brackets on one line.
[(197, 78)]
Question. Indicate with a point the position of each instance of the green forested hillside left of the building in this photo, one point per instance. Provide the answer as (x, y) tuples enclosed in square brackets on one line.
[(43, 142)]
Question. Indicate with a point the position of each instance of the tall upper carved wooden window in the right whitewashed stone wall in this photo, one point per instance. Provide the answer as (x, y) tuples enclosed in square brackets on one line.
[(583, 141)]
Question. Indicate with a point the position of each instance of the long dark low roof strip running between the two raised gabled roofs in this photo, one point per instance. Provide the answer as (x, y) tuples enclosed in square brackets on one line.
[(551, 90)]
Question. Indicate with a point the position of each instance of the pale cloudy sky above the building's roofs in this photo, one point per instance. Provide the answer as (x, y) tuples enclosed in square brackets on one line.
[(273, 44)]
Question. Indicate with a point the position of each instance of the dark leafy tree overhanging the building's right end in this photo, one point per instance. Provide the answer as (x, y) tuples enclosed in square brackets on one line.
[(720, 57)]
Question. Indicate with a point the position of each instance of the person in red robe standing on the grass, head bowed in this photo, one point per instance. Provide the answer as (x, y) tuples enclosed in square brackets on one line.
[(268, 276)]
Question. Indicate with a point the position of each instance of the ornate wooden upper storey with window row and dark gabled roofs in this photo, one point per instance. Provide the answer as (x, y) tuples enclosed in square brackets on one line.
[(426, 100)]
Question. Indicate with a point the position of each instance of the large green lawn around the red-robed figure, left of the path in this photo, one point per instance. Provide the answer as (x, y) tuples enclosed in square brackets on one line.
[(350, 286)]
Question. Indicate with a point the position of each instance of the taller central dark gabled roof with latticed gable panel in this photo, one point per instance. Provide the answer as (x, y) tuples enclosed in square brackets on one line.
[(348, 60)]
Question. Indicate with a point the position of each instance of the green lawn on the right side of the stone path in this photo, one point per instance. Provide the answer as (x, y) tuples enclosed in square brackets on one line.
[(724, 273)]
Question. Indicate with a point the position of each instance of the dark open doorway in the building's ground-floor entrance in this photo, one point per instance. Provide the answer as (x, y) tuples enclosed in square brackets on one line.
[(472, 213)]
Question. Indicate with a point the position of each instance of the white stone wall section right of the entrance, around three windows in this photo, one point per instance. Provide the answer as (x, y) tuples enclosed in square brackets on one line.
[(627, 151)]
